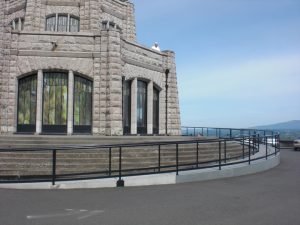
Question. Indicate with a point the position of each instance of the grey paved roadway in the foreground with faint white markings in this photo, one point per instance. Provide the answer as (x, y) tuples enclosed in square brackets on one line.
[(268, 198)]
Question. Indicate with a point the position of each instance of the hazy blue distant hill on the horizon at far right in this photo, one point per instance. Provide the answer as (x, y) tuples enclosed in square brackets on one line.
[(288, 130)]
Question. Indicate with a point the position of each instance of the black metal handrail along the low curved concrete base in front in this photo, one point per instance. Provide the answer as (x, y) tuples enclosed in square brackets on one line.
[(250, 145)]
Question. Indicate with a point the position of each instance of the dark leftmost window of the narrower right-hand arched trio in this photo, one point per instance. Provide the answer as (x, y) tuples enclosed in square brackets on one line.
[(126, 107)]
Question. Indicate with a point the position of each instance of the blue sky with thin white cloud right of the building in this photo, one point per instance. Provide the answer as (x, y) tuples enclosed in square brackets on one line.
[(238, 61)]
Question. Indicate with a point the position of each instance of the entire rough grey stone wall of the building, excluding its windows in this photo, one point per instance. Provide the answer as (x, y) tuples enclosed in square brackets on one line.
[(102, 55)]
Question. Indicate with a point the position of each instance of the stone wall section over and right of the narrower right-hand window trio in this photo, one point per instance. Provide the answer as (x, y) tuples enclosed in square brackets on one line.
[(150, 65)]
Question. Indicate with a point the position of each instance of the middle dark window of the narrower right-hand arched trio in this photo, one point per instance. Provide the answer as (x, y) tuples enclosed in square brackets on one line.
[(142, 107)]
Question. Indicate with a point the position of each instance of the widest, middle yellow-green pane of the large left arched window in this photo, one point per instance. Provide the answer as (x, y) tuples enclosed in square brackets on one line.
[(55, 102)]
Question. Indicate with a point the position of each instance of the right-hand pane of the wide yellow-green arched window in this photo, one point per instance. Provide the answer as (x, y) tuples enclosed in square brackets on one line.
[(82, 105)]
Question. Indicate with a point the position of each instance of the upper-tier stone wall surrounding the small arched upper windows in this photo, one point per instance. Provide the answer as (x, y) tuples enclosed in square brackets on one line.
[(91, 13)]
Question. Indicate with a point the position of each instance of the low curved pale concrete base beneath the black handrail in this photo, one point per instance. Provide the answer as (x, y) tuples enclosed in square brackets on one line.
[(160, 179)]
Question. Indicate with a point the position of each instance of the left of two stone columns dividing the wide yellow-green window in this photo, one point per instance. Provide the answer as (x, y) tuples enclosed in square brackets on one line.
[(39, 102)]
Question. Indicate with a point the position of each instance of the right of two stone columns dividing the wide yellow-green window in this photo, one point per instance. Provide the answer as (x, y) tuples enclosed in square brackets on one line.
[(70, 102)]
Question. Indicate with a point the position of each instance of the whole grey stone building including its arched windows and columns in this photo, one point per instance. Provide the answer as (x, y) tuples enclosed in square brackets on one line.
[(74, 66)]
